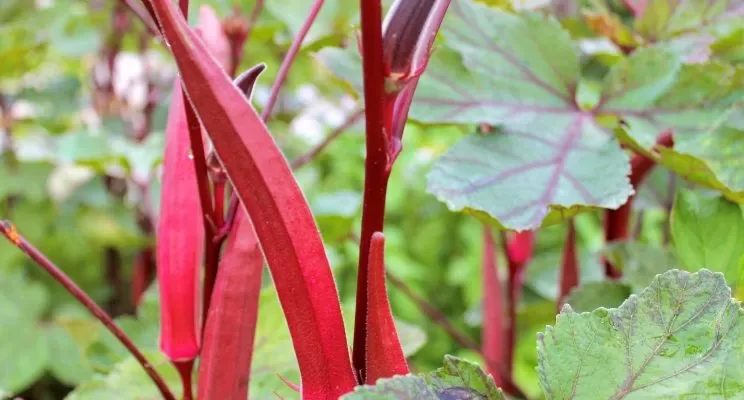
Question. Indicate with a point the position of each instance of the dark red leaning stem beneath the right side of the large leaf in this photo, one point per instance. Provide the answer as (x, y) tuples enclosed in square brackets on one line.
[(617, 222)]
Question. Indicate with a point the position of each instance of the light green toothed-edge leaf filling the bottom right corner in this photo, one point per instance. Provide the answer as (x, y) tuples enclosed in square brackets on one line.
[(681, 337)]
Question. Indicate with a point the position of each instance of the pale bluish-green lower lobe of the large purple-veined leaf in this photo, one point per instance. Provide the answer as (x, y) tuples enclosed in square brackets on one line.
[(532, 184)]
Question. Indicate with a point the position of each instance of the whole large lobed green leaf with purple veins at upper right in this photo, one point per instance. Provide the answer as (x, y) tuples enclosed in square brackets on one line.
[(554, 155)]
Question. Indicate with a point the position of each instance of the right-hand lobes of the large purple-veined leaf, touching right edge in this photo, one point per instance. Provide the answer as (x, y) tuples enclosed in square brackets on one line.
[(695, 102)]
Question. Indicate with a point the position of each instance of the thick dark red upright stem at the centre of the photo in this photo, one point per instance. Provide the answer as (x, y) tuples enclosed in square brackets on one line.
[(376, 171)]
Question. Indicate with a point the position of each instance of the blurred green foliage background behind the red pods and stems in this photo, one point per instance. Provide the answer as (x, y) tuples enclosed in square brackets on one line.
[(73, 176)]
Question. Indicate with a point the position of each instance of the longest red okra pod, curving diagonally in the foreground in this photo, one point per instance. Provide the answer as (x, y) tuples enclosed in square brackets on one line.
[(281, 216)]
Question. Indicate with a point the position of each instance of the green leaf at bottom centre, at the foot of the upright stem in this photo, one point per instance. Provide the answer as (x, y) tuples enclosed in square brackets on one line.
[(458, 379)]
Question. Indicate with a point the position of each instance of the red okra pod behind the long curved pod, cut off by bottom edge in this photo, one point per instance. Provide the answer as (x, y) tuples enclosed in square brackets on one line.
[(225, 362)]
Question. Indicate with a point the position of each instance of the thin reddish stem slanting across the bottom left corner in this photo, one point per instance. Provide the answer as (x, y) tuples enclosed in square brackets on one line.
[(9, 231)]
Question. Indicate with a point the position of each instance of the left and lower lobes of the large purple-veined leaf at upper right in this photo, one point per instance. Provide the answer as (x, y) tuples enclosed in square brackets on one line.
[(519, 72)]
